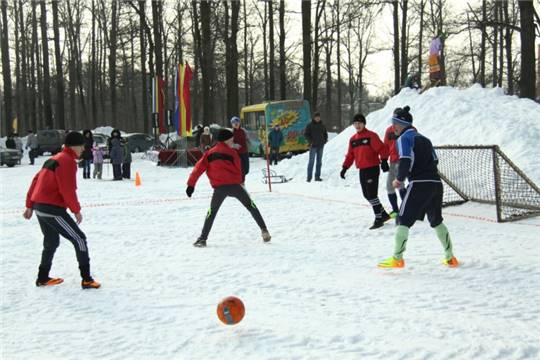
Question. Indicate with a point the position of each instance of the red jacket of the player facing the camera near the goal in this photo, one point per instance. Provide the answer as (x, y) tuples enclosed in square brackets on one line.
[(365, 148)]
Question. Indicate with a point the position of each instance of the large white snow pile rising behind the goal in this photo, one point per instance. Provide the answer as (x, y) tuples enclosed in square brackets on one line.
[(448, 116)]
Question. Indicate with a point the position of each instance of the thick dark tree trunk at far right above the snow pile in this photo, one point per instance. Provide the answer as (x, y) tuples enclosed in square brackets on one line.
[(528, 71)]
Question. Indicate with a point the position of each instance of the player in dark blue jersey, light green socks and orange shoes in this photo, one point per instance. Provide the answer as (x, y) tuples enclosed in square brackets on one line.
[(417, 161)]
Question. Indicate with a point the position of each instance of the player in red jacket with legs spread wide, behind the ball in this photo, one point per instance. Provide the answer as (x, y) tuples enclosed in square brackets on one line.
[(223, 168)]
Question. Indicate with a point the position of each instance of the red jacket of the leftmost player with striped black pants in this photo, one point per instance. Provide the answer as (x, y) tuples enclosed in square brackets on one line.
[(56, 183)]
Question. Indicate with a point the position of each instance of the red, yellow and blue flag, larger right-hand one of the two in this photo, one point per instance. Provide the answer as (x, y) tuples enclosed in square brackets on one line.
[(182, 111)]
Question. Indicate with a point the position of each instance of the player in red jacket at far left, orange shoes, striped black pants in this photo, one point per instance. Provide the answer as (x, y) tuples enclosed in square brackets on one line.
[(53, 190)]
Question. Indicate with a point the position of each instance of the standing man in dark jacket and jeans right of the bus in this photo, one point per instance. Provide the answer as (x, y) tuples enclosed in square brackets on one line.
[(317, 136)]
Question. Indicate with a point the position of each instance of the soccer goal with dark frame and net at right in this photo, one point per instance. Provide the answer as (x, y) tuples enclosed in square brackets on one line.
[(485, 174)]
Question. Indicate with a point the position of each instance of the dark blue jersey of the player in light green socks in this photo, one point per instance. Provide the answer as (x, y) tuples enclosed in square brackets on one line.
[(417, 158)]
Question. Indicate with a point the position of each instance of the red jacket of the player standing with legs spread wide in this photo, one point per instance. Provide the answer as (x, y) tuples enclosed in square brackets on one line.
[(222, 166)]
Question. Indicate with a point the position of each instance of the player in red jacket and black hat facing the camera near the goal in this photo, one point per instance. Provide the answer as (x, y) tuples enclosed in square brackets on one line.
[(367, 151)]
